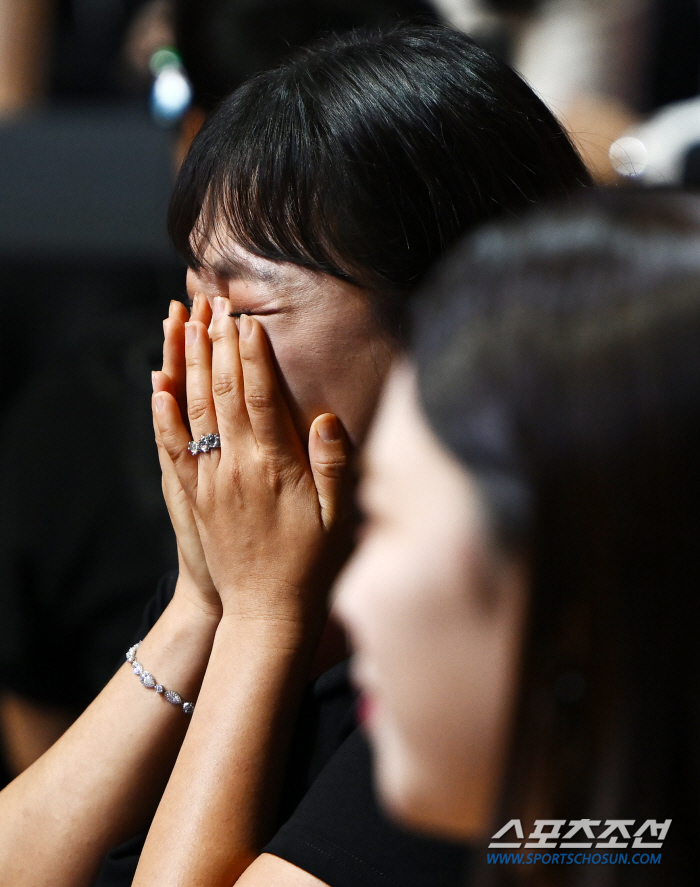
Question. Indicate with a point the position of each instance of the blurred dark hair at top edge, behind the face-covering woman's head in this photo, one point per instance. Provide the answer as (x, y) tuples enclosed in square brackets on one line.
[(224, 42)]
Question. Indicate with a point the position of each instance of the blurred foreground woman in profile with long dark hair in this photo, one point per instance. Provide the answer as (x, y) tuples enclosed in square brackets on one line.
[(524, 601)]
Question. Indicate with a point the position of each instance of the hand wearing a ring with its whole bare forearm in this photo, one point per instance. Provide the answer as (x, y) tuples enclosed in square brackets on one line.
[(263, 507)]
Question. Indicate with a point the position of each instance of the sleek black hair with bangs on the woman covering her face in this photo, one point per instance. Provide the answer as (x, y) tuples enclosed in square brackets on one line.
[(368, 154)]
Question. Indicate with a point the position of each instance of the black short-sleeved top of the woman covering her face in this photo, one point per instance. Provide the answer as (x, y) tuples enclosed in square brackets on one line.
[(331, 825)]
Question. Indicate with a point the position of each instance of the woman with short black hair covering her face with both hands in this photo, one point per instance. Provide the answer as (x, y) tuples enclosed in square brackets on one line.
[(312, 201)]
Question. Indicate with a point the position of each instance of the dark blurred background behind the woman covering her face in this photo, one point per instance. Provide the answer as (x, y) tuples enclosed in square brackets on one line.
[(98, 100)]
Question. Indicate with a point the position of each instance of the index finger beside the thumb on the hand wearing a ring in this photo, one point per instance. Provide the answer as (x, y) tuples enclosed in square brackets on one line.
[(267, 409)]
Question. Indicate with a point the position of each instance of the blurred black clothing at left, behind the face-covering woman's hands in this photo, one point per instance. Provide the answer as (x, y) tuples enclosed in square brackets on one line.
[(85, 532)]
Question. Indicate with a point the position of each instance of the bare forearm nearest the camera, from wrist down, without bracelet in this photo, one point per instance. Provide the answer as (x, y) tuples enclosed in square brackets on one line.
[(221, 801)]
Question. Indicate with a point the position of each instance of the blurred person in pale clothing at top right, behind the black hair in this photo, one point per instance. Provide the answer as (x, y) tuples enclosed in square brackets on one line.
[(584, 58)]
